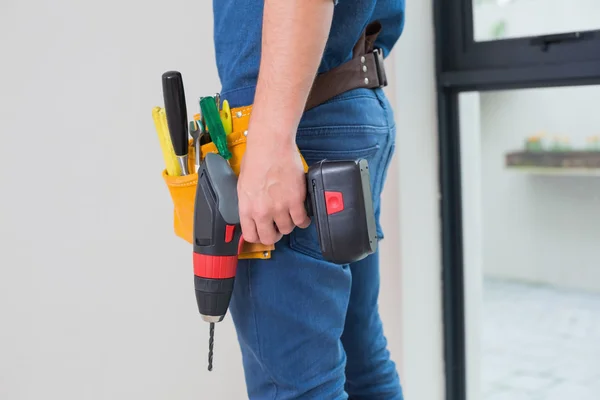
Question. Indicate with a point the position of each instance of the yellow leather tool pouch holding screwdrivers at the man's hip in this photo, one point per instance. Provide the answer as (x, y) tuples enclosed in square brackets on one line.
[(183, 188)]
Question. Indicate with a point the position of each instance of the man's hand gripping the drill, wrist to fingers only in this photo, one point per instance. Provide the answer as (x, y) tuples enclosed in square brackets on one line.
[(271, 192)]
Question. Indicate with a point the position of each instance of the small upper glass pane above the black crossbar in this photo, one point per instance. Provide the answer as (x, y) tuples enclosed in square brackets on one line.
[(505, 19)]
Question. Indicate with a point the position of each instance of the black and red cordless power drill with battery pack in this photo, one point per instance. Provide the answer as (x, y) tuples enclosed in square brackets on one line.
[(338, 199)]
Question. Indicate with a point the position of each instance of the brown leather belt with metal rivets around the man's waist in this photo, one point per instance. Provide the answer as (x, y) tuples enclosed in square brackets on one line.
[(364, 70)]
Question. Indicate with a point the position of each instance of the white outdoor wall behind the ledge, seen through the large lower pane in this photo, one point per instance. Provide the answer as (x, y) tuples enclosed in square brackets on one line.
[(540, 229)]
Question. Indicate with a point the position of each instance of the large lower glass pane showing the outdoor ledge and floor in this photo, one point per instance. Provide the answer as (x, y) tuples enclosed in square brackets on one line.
[(531, 215)]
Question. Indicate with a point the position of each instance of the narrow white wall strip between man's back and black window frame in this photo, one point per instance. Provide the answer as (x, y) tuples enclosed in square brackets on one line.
[(418, 208)]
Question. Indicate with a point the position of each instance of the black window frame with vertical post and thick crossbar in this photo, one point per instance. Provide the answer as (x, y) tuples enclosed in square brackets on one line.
[(463, 65)]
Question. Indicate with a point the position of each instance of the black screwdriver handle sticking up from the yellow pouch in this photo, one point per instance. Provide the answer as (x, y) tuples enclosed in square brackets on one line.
[(174, 97)]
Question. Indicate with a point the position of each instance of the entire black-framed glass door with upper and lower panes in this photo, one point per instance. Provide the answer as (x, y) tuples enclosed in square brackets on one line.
[(519, 144)]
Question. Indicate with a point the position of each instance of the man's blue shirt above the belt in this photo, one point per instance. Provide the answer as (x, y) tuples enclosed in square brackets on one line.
[(237, 36)]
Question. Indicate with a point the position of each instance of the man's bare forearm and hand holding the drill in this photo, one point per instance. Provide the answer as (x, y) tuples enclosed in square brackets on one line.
[(271, 186)]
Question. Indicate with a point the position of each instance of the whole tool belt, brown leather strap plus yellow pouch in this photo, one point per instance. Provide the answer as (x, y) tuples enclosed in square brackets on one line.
[(364, 70)]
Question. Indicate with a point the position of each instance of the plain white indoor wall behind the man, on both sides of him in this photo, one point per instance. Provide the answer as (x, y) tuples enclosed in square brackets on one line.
[(95, 295)]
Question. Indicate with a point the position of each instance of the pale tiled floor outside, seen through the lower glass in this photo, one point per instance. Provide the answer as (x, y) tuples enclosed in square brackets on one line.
[(540, 343)]
